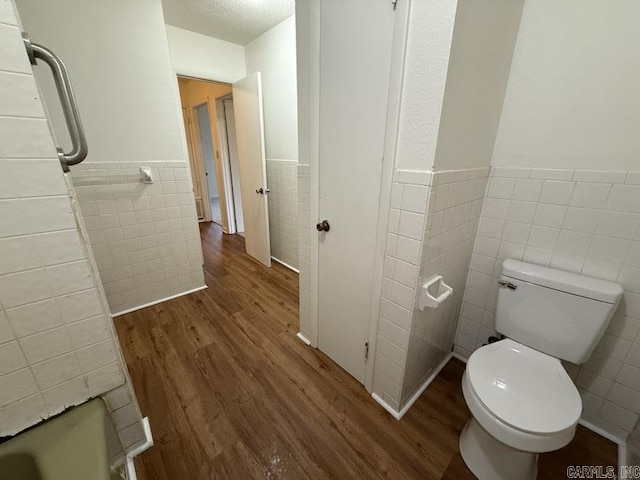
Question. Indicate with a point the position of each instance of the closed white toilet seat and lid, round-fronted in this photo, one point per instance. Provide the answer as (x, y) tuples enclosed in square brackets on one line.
[(524, 398)]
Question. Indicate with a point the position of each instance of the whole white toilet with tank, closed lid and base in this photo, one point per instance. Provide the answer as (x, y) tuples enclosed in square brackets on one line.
[(521, 398)]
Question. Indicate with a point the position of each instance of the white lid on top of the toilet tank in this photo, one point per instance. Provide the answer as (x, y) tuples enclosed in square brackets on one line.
[(589, 287)]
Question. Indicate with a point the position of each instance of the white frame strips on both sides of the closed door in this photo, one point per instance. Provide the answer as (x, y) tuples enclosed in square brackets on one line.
[(311, 41)]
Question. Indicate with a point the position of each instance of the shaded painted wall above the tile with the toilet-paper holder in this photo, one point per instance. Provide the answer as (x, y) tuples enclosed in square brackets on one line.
[(484, 38)]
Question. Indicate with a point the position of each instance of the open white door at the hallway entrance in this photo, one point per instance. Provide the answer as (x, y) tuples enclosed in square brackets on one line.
[(247, 106)]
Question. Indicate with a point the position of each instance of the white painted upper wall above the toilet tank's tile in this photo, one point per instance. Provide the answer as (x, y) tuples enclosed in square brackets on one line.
[(572, 100)]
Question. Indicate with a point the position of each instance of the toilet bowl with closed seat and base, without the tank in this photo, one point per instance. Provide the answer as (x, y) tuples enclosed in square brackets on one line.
[(523, 402)]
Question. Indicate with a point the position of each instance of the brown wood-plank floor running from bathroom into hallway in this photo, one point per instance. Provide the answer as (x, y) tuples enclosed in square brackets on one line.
[(231, 393)]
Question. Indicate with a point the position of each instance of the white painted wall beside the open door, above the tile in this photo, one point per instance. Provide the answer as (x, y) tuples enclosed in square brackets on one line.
[(274, 55)]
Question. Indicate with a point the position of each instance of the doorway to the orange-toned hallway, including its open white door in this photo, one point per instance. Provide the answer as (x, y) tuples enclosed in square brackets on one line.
[(224, 128)]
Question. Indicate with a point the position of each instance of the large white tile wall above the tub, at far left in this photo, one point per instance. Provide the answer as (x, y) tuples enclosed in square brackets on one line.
[(52, 316)]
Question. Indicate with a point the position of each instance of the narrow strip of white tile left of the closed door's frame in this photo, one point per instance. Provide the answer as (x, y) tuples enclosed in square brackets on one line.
[(305, 222)]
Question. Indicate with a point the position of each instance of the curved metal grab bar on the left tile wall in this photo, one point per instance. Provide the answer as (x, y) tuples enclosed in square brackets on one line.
[(79, 147)]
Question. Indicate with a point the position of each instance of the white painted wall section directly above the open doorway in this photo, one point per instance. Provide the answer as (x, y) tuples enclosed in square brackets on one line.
[(200, 56)]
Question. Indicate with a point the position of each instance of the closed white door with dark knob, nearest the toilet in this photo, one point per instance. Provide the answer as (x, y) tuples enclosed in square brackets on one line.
[(355, 61)]
